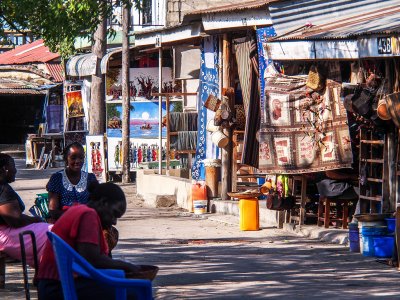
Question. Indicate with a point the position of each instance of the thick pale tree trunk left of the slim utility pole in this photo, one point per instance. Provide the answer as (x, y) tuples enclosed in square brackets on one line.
[(97, 111)]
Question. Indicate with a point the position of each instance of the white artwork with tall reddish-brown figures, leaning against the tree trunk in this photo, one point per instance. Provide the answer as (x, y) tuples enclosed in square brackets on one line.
[(95, 156)]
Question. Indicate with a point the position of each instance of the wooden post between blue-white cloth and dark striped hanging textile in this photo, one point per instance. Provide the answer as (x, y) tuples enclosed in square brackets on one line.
[(226, 158)]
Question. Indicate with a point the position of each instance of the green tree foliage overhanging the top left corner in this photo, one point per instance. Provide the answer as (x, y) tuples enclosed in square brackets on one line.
[(58, 22)]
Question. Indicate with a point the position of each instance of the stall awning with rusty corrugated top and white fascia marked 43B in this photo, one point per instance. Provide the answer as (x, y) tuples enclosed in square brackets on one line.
[(371, 34)]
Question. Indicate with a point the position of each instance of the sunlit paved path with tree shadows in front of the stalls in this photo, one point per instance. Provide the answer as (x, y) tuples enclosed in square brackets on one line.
[(206, 259)]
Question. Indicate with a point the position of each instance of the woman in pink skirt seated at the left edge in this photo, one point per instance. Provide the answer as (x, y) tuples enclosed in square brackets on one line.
[(13, 221)]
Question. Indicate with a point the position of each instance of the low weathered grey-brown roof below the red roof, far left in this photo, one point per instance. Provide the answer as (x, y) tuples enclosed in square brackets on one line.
[(19, 87)]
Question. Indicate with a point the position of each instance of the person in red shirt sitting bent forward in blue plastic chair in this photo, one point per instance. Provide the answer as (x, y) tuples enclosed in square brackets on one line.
[(81, 226)]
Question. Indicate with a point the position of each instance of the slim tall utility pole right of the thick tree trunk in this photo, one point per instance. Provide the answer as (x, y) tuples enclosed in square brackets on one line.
[(125, 93)]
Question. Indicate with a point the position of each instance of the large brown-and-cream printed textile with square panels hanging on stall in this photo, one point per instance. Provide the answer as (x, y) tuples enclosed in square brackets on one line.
[(302, 131)]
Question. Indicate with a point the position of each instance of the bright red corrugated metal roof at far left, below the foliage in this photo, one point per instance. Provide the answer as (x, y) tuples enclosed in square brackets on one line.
[(28, 53)]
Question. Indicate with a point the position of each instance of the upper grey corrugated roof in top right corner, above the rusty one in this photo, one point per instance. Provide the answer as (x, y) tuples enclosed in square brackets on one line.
[(291, 15)]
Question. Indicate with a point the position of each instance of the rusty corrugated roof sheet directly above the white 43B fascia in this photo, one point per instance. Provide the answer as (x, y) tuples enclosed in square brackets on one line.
[(381, 21)]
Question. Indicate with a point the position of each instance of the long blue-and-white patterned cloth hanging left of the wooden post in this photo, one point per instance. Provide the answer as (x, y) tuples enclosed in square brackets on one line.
[(209, 85)]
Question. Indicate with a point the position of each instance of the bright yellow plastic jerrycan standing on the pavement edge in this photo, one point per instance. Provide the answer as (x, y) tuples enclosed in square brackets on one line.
[(249, 214)]
